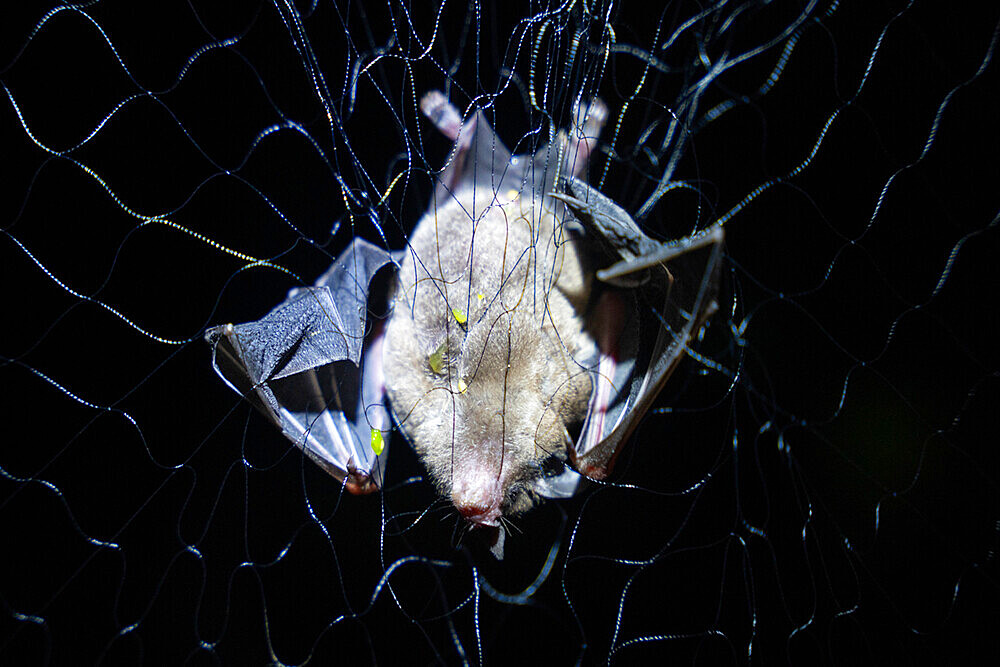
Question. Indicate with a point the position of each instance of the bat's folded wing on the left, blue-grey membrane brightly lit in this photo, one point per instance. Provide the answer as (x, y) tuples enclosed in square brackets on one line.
[(314, 370)]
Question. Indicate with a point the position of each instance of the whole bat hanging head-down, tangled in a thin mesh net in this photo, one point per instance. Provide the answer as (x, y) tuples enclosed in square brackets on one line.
[(531, 325)]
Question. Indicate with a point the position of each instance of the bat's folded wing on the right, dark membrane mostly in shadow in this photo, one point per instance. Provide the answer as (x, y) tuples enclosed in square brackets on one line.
[(656, 300)]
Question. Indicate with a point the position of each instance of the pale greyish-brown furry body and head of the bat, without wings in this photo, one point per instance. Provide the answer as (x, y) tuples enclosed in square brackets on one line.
[(511, 377)]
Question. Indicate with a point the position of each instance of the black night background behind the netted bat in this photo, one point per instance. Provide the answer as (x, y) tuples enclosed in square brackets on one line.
[(826, 494)]
